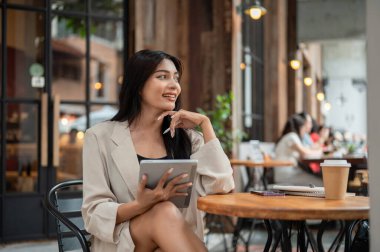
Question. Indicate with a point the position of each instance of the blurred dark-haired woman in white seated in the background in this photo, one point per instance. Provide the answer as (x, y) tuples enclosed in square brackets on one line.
[(289, 147)]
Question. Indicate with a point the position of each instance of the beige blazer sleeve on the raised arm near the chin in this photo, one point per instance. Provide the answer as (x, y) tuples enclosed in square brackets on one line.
[(214, 171)]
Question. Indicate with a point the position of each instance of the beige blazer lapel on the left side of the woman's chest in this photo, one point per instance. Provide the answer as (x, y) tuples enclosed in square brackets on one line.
[(125, 156)]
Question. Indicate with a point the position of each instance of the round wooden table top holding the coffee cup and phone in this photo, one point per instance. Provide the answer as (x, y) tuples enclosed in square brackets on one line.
[(248, 205)]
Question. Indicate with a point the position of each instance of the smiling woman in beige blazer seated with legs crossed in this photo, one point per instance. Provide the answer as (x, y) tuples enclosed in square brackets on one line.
[(120, 213)]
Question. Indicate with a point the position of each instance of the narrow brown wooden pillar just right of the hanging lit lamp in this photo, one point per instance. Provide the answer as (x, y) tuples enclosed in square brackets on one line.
[(275, 69)]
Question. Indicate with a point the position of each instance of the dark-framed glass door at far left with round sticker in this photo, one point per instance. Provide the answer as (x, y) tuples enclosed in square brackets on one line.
[(23, 180)]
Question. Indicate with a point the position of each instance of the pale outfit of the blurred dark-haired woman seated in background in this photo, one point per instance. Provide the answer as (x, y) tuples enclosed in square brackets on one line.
[(292, 175)]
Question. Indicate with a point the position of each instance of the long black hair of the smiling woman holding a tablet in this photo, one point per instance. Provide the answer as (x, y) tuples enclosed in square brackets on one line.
[(138, 70)]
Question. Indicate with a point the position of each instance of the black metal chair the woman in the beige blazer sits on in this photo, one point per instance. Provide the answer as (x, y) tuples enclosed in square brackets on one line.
[(64, 202)]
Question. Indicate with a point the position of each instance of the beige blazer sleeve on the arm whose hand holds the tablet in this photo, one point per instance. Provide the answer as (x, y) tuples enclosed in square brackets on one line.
[(100, 205)]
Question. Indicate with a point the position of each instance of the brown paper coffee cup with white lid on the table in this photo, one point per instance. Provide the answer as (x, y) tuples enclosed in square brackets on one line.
[(335, 178)]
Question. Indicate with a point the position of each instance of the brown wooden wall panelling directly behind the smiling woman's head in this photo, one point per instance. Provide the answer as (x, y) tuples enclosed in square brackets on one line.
[(198, 32)]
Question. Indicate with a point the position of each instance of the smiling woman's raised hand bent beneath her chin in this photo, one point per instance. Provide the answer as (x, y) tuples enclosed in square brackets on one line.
[(184, 119)]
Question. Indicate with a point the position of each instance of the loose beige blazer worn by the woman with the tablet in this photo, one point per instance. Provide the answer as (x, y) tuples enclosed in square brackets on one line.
[(110, 178)]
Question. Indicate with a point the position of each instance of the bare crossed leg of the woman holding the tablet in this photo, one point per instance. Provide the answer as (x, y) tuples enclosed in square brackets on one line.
[(164, 227)]
